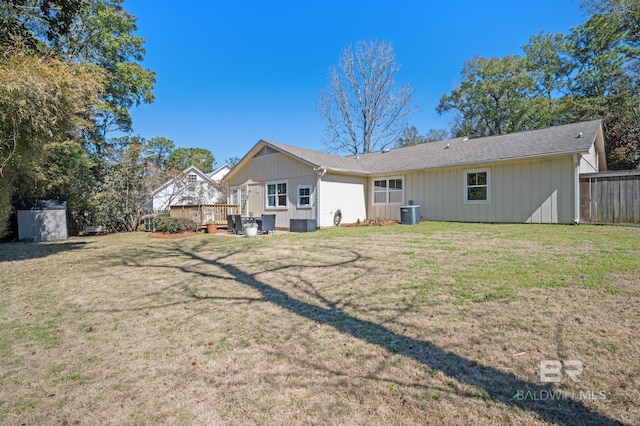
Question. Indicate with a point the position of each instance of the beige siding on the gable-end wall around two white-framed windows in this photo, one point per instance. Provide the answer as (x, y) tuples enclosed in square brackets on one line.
[(269, 166)]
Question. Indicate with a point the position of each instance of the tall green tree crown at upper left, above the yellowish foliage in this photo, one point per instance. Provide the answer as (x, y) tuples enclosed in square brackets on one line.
[(98, 32)]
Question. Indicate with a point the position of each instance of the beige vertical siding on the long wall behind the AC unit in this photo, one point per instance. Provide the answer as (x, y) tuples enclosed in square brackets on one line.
[(533, 191)]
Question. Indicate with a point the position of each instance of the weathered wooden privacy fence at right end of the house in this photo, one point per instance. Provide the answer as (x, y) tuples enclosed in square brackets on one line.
[(610, 197)]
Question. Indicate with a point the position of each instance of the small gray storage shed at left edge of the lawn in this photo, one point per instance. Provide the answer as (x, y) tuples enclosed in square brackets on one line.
[(42, 220)]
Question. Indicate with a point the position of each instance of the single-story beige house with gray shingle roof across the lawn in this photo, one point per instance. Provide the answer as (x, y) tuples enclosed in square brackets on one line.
[(525, 177)]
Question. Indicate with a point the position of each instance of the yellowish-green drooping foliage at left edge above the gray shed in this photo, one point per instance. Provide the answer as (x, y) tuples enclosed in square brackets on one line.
[(42, 100)]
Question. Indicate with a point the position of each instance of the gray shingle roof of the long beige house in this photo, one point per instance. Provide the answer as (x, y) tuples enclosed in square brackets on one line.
[(530, 144)]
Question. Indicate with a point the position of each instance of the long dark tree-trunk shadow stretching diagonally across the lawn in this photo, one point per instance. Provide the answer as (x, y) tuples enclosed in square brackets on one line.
[(498, 385)]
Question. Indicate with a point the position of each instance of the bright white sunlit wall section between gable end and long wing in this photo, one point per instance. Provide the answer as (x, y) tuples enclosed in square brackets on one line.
[(345, 193)]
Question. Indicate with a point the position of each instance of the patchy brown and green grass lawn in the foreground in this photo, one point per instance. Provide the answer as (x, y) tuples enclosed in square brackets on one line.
[(436, 323)]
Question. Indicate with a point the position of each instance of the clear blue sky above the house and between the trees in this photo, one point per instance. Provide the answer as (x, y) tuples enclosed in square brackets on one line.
[(232, 73)]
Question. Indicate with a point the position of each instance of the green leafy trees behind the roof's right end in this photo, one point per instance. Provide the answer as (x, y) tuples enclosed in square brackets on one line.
[(590, 73)]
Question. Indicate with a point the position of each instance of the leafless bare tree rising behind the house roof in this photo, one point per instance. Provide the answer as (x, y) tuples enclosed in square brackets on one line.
[(364, 108)]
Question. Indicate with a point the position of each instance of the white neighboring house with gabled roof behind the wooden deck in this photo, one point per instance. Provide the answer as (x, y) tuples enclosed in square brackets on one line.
[(190, 187)]
